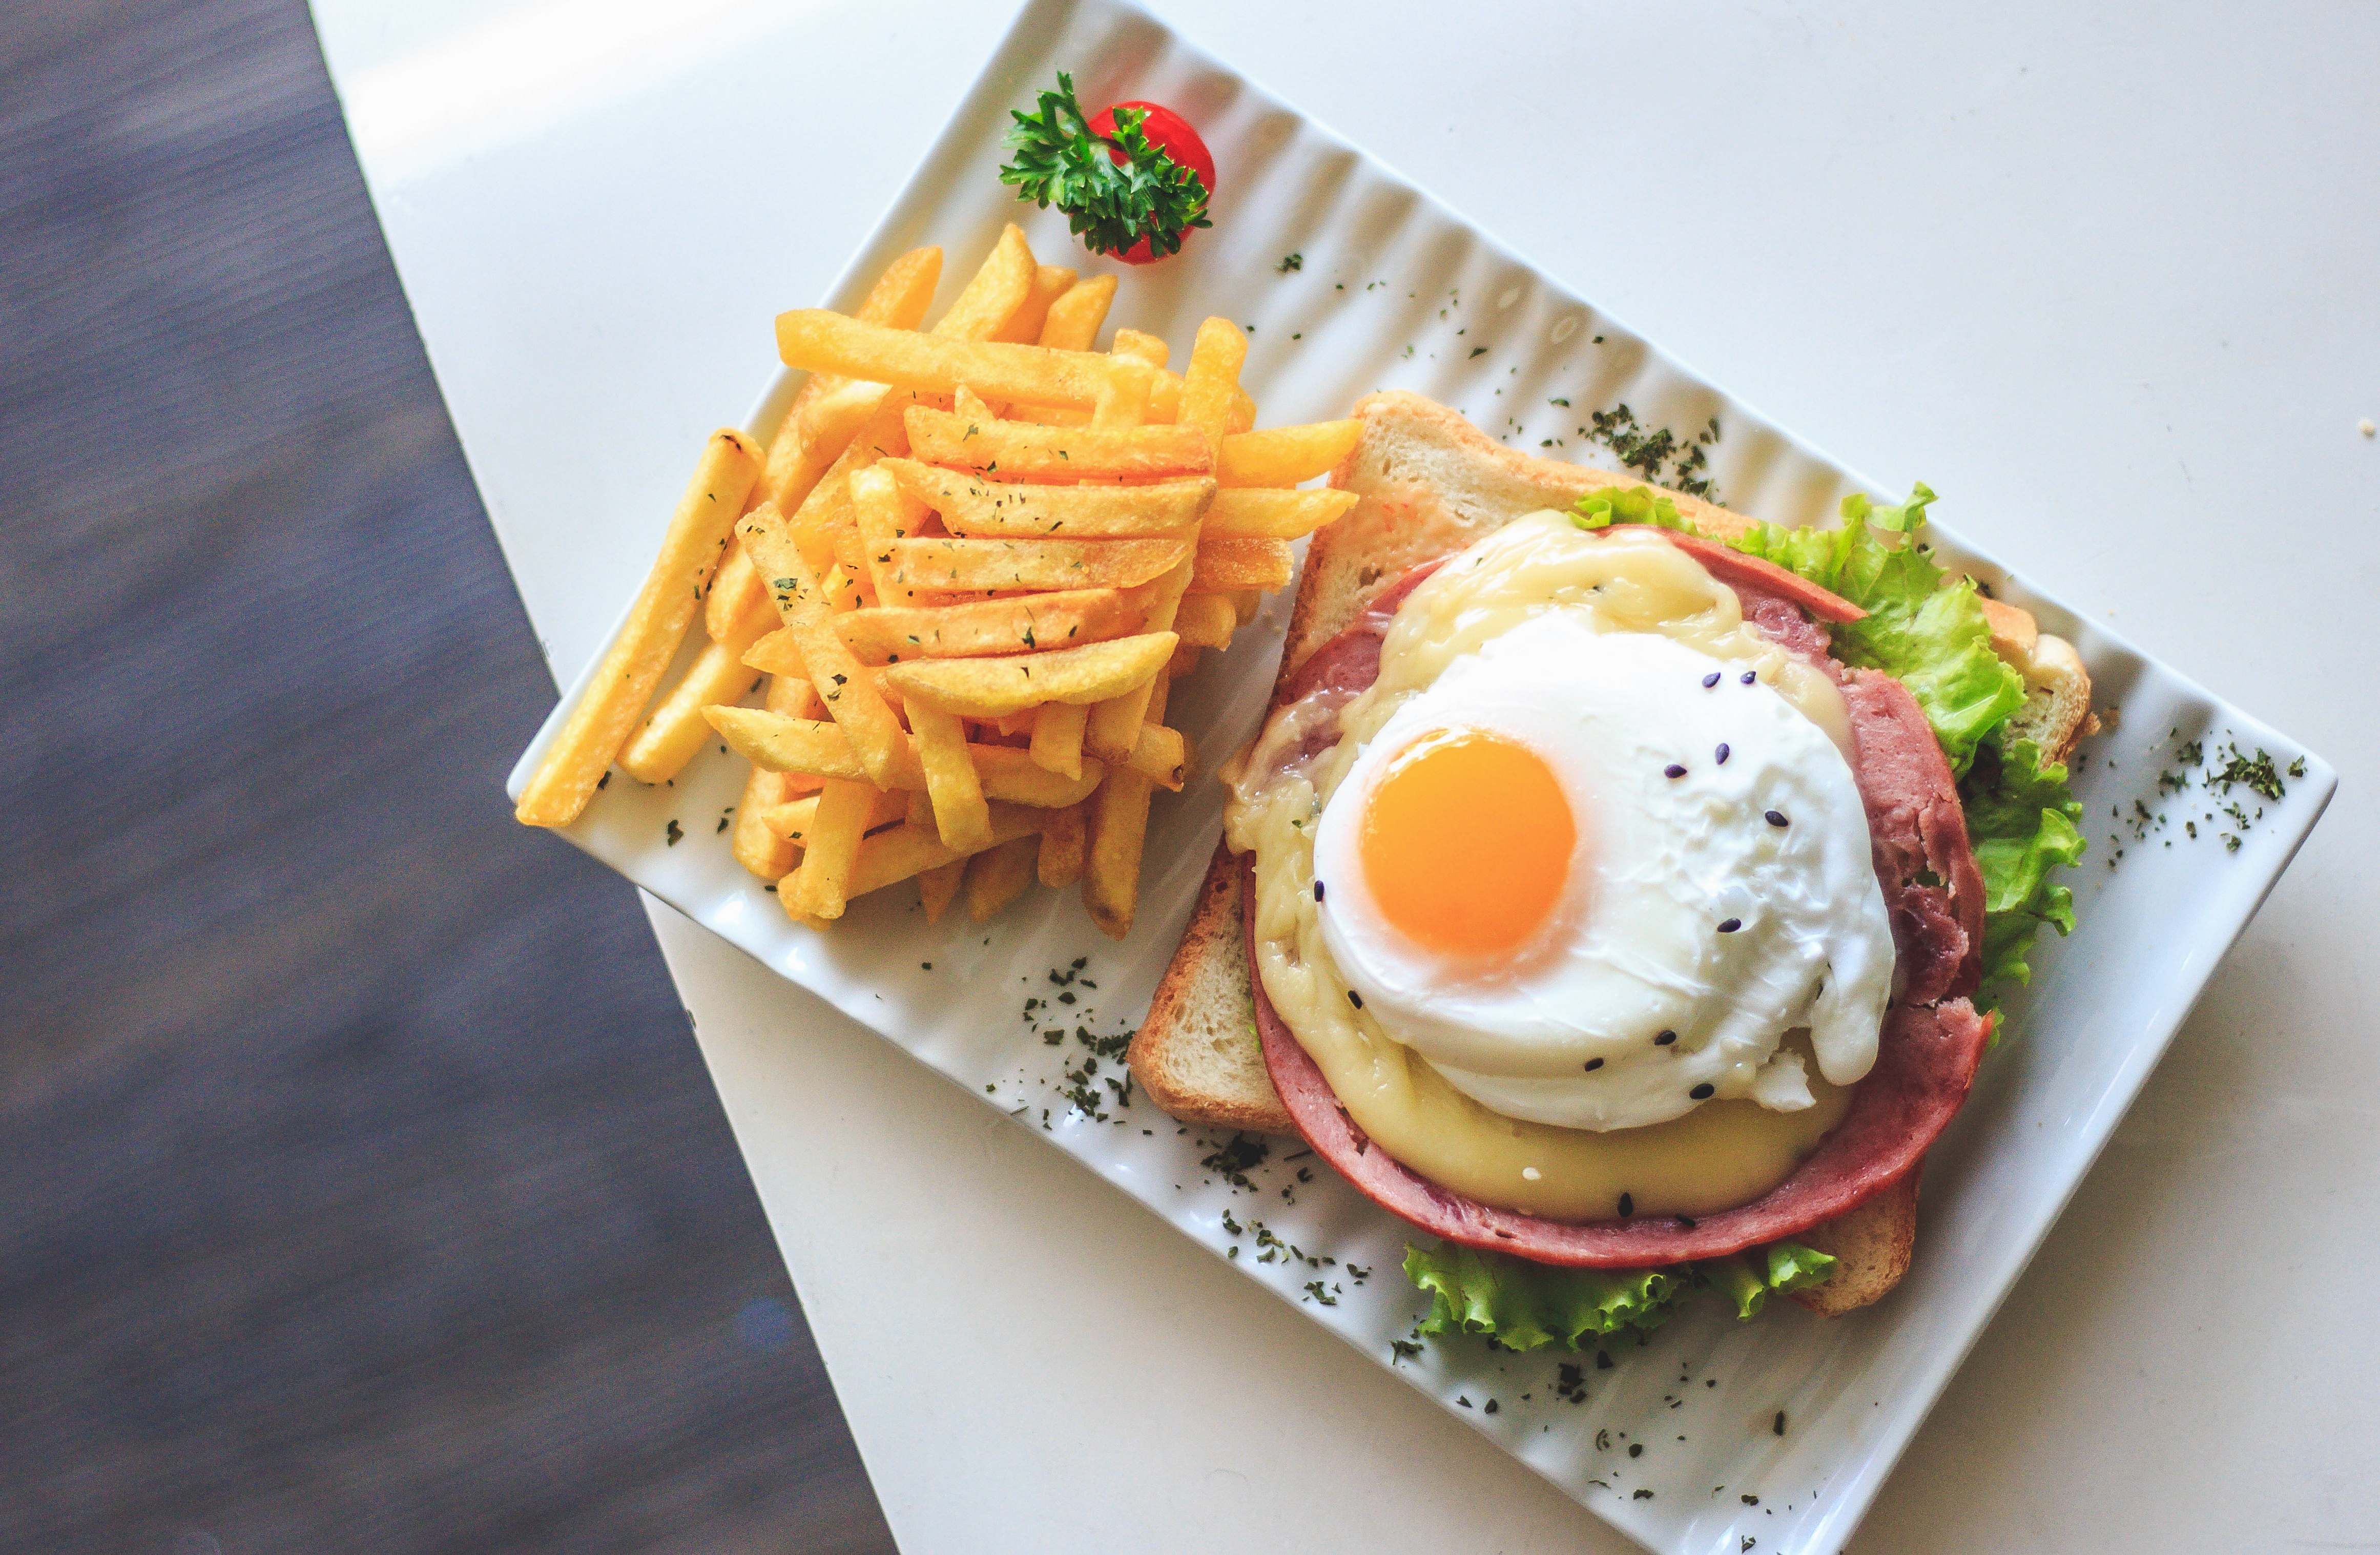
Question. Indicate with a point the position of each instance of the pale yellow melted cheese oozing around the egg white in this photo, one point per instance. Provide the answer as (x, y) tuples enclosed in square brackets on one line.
[(1717, 1156)]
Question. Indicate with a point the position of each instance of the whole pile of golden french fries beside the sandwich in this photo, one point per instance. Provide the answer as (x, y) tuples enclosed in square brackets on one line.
[(963, 575)]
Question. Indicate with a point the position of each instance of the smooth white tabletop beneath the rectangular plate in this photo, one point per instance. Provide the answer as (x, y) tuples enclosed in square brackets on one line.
[(2107, 277)]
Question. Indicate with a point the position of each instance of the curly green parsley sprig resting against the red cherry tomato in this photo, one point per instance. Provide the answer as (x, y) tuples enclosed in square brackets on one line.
[(1108, 204)]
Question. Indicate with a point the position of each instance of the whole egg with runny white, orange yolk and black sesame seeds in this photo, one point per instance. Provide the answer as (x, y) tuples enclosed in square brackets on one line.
[(1596, 878)]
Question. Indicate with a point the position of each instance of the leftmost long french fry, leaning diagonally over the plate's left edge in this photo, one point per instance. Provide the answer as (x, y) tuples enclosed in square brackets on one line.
[(665, 608)]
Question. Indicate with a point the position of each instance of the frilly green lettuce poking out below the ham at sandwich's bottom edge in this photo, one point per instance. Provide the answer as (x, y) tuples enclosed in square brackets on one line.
[(1529, 1306)]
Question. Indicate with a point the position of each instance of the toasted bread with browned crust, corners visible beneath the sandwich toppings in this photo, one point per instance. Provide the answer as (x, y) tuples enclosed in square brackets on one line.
[(1429, 485)]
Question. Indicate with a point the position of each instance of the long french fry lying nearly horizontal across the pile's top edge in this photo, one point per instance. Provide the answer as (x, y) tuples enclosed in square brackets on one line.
[(996, 370)]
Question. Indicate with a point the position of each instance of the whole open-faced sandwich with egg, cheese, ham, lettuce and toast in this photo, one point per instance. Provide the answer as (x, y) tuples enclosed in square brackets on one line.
[(1617, 885)]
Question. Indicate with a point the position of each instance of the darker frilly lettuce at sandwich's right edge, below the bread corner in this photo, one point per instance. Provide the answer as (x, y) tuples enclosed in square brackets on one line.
[(2022, 820)]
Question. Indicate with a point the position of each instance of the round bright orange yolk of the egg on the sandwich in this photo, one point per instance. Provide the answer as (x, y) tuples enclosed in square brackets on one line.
[(1467, 844)]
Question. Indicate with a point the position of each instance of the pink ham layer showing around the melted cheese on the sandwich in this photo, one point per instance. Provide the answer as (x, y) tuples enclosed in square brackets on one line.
[(1931, 1042)]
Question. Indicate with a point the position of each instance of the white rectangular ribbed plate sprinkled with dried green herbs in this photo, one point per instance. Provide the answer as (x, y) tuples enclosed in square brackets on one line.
[(1396, 292)]
